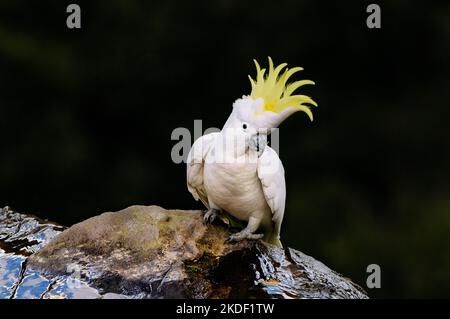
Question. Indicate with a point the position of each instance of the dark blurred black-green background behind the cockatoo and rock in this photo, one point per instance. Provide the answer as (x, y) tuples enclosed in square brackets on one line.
[(86, 118)]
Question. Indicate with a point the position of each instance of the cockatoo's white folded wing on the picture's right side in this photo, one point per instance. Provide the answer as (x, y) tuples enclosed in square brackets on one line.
[(271, 175)]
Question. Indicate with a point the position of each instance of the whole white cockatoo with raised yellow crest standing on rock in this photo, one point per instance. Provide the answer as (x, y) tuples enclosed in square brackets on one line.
[(234, 170)]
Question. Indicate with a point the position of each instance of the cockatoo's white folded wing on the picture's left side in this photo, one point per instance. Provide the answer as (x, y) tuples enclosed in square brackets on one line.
[(195, 162)]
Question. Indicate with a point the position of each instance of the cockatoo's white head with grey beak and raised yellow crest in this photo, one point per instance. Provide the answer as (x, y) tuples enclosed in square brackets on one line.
[(271, 101)]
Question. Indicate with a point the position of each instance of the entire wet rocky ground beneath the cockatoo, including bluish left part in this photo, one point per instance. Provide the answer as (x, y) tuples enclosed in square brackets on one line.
[(150, 252)]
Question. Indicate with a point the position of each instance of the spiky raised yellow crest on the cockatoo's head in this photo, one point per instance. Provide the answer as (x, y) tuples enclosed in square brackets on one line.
[(275, 91)]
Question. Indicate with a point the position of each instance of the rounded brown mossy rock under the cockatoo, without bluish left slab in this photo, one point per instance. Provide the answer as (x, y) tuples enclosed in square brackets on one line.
[(151, 252)]
